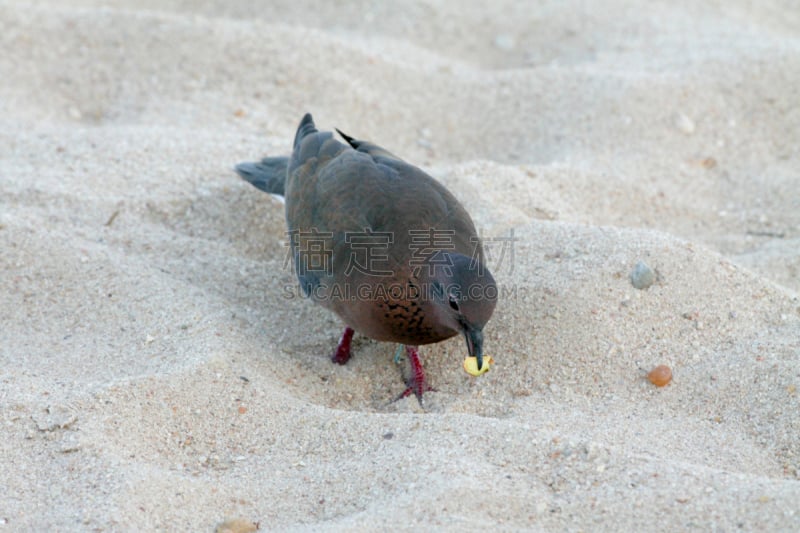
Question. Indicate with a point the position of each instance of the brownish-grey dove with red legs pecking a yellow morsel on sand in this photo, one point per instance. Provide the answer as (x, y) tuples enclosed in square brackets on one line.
[(382, 244)]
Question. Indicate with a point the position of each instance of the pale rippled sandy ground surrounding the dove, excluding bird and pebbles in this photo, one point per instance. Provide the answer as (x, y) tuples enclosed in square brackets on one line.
[(156, 373)]
